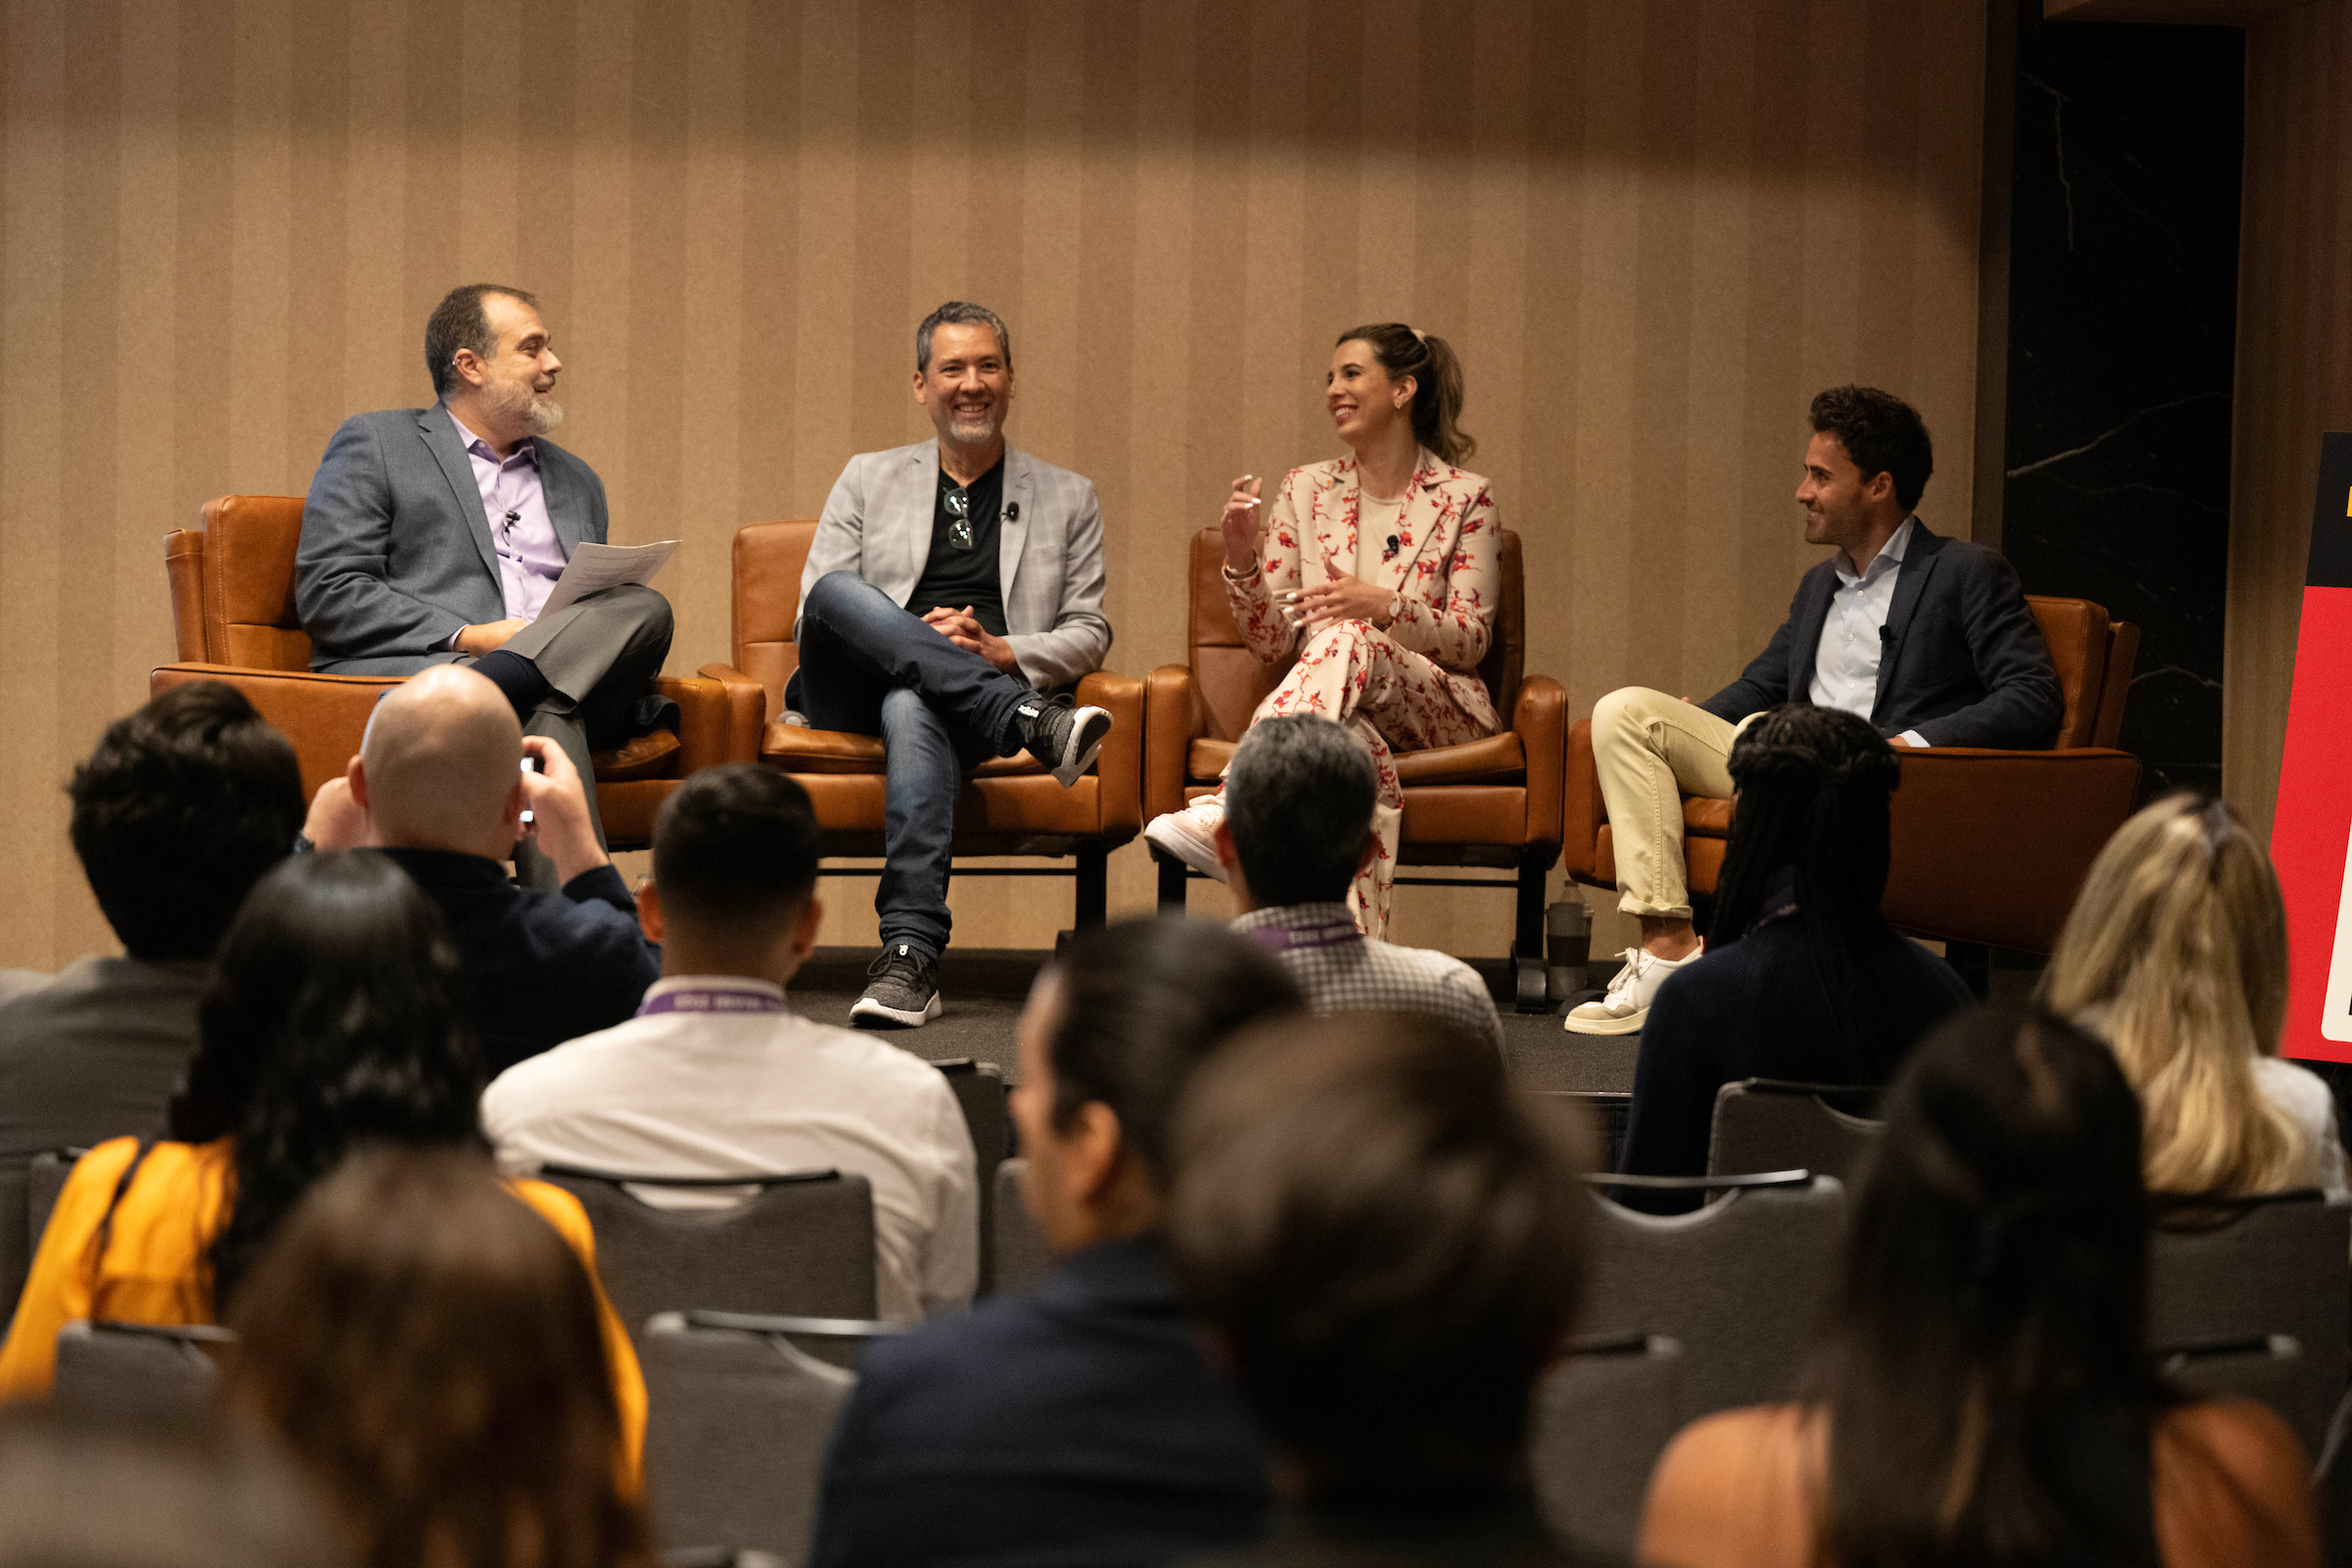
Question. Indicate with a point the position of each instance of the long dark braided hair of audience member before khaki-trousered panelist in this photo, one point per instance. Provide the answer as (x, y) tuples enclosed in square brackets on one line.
[(1815, 789)]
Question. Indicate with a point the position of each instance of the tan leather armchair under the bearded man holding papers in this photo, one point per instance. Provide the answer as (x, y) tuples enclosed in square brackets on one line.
[(234, 612)]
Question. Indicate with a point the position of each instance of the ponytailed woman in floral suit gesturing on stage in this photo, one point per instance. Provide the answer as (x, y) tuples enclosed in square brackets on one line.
[(1377, 577)]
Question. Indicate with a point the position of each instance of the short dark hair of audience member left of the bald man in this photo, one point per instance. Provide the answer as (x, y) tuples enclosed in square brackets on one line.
[(178, 815)]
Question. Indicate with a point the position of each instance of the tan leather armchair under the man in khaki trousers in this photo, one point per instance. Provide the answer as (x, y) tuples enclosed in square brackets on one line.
[(1989, 845)]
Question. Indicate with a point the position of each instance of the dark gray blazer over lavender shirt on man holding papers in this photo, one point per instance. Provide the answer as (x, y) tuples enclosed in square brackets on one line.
[(396, 549)]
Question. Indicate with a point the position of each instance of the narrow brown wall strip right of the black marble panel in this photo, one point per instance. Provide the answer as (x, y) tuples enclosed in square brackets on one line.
[(2294, 368)]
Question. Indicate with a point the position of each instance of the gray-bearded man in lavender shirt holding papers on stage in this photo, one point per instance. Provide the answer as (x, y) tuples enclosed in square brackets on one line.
[(436, 537)]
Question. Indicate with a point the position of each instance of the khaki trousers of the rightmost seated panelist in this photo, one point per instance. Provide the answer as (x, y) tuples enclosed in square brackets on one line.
[(1650, 751)]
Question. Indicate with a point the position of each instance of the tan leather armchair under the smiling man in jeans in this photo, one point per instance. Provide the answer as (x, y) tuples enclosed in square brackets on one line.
[(1010, 805)]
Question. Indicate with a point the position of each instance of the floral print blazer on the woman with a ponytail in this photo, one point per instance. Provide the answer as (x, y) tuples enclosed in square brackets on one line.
[(1445, 568)]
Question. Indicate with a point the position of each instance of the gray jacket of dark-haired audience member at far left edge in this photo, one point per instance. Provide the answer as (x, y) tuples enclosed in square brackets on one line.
[(95, 1054)]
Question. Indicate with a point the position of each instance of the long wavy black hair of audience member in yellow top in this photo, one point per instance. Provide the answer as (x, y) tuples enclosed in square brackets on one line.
[(333, 1021)]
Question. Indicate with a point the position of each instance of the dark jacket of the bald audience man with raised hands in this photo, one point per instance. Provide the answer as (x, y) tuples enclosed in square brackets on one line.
[(540, 967)]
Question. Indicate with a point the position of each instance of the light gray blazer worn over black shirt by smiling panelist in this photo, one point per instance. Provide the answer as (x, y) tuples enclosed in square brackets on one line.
[(1050, 556)]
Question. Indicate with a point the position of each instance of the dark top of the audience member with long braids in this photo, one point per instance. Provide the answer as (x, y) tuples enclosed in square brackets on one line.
[(1753, 1010)]
